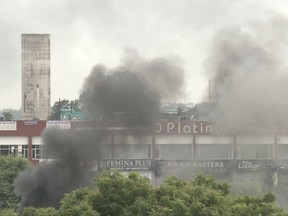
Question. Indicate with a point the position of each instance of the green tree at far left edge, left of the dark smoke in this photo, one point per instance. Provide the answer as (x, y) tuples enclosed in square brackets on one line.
[(9, 170)]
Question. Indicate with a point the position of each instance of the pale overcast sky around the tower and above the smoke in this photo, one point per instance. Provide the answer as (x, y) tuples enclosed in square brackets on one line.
[(87, 32)]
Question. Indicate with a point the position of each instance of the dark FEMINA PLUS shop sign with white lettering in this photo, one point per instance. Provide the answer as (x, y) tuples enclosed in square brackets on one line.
[(128, 164)]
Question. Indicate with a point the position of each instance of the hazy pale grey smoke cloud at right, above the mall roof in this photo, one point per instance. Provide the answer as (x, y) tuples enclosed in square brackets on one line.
[(248, 72)]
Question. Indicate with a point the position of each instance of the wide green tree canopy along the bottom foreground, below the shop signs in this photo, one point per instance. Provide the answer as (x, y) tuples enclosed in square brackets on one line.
[(115, 194)]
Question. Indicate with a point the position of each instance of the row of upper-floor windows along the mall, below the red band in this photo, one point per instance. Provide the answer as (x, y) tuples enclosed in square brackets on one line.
[(170, 151)]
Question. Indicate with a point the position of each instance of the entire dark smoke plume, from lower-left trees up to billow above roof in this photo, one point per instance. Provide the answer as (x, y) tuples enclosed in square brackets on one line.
[(134, 90)]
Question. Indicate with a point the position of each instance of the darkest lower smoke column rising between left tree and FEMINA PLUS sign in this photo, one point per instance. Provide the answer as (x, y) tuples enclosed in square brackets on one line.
[(72, 155)]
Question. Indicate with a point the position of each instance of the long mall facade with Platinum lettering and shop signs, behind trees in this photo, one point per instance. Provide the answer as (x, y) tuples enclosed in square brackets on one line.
[(180, 148)]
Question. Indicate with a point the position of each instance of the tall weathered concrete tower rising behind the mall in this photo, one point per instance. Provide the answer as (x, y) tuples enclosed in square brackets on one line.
[(35, 76)]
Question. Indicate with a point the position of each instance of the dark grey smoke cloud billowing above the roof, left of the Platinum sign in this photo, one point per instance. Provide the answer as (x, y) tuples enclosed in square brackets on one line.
[(135, 88)]
